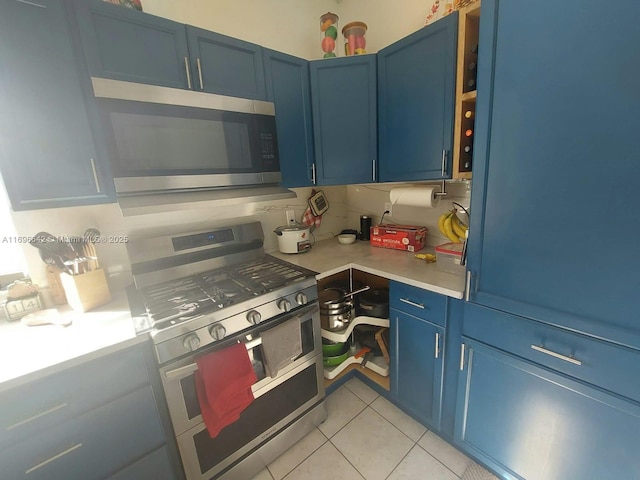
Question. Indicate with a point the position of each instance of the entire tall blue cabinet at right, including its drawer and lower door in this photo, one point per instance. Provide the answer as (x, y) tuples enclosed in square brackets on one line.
[(550, 339)]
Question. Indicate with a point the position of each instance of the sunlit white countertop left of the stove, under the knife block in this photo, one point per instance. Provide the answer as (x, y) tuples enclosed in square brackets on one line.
[(28, 353)]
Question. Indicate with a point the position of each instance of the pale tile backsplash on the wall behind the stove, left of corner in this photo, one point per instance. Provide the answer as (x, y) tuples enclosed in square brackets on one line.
[(109, 220)]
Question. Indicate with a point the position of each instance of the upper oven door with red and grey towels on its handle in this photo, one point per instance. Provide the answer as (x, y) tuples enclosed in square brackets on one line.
[(179, 380)]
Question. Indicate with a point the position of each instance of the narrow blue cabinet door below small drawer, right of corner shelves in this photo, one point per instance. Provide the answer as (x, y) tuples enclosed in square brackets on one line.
[(417, 353)]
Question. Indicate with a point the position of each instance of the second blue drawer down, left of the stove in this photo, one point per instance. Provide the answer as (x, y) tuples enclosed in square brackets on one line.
[(91, 446)]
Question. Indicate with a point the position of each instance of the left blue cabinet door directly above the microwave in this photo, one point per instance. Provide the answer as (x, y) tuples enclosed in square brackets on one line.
[(125, 44)]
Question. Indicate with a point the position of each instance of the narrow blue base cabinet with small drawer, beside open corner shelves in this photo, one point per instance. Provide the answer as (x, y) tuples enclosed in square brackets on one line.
[(417, 351)]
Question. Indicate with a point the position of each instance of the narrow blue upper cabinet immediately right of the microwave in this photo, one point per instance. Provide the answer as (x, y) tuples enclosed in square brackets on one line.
[(287, 81)]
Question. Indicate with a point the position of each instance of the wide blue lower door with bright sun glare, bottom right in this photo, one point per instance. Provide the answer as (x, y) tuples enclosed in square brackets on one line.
[(528, 422)]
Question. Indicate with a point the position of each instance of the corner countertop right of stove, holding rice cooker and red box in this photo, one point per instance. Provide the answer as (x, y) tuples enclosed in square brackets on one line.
[(328, 257)]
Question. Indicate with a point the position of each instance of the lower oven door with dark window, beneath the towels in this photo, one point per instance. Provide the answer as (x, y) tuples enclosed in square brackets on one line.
[(276, 406)]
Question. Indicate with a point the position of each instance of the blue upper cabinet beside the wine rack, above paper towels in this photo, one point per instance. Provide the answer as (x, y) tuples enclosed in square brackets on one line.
[(416, 86)]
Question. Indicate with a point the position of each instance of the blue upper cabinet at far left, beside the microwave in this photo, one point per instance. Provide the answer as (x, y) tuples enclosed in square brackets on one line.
[(48, 154)]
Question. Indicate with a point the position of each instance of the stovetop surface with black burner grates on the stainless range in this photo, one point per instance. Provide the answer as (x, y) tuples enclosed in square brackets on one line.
[(179, 300)]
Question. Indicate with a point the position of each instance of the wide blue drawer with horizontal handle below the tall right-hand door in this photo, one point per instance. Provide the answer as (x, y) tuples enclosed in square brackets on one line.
[(600, 363)]
